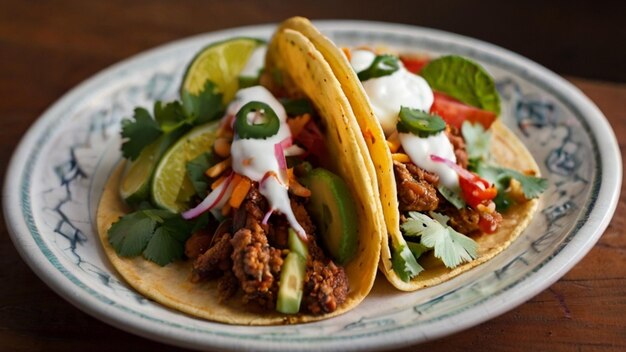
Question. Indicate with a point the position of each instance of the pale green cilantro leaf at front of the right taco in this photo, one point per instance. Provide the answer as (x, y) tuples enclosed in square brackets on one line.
[(452, 247)]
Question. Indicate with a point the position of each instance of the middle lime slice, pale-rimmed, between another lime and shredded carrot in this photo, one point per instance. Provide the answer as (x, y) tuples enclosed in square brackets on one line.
[(171, 172)]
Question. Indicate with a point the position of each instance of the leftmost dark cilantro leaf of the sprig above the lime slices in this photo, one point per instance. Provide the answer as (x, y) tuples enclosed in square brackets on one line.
[(138, 133)]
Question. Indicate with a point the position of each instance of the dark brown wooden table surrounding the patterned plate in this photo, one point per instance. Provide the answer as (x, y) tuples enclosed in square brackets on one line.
[(45, 49)]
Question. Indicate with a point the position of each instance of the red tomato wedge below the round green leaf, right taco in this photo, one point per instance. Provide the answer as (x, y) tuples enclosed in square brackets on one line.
[(454, 112)]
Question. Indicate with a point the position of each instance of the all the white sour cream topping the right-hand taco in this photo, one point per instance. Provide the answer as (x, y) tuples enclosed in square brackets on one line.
[(387, 95)]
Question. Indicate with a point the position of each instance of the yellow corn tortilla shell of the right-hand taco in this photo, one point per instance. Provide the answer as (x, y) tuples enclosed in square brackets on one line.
[(505, 147)]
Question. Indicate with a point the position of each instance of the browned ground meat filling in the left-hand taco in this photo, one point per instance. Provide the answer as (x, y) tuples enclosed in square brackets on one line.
[(251, 259)]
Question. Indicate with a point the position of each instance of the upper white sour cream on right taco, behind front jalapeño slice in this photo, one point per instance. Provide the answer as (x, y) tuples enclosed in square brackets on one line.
[(388, 93)]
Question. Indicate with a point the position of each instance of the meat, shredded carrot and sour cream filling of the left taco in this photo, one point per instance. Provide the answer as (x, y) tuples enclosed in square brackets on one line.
[(261, 201)]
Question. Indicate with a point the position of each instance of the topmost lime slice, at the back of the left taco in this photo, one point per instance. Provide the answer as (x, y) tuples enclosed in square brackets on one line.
[(220, 63)]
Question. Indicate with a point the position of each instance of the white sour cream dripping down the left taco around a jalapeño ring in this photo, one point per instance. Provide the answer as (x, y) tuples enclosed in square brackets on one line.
[(255, 158)]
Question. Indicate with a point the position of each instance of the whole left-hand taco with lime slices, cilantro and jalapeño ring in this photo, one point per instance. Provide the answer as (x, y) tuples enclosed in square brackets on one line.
[(261, 228)]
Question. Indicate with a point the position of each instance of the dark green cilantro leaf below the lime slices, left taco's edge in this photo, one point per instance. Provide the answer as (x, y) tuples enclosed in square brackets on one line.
[(158, 235)]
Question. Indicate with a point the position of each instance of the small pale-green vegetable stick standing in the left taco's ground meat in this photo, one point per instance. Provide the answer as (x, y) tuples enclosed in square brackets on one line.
[(291, 282)]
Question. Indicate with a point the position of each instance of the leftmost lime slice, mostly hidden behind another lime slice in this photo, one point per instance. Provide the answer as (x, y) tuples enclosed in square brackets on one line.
[(135, 185)]
